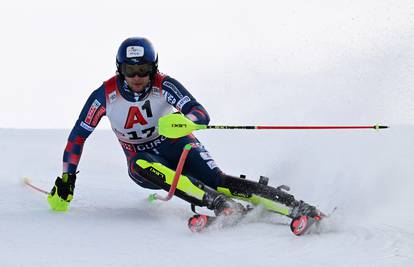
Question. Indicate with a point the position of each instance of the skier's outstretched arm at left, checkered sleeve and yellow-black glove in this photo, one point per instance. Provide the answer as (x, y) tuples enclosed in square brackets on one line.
[(63, 190)]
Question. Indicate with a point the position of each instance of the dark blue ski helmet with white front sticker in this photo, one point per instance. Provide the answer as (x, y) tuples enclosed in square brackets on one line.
[(137, 51)]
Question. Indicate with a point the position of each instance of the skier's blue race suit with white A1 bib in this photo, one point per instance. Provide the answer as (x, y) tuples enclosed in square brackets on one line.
[(133, 117)]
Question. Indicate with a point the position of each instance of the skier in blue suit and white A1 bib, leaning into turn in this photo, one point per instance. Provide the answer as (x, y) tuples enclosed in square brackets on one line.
[(133, 100)]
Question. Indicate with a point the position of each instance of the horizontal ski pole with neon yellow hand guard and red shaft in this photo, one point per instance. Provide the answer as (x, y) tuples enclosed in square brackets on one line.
[(177, 125)]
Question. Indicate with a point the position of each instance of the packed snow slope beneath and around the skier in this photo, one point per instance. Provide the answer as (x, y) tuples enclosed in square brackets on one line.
[(367, 174)]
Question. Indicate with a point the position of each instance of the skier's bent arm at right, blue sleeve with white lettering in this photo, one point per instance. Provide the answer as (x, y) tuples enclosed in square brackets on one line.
[(176, 95)]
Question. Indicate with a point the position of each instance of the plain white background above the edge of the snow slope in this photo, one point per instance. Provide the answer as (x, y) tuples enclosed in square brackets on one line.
[(305, 61)]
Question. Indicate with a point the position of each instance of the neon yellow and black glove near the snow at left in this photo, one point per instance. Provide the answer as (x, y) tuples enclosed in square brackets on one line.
[(62, 193)]
